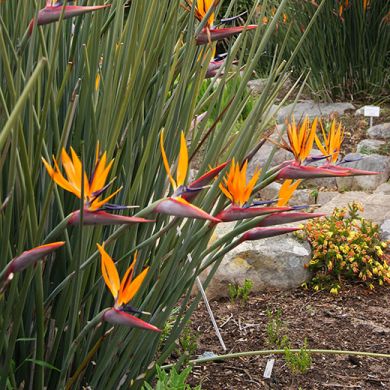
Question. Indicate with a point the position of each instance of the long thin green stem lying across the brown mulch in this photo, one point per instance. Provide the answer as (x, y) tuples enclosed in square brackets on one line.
[(279, 352)]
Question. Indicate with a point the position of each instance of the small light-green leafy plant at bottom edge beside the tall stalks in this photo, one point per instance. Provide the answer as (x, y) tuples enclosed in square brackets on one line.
[(171, 380)]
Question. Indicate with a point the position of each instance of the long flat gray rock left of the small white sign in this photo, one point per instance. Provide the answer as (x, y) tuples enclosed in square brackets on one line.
[(312, 109)]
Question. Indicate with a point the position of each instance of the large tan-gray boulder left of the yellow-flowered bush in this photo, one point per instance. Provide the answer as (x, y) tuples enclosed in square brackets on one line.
[(270, 263)]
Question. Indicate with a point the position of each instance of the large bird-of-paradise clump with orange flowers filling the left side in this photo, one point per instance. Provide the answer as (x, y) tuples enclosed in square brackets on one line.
[(65, 332)]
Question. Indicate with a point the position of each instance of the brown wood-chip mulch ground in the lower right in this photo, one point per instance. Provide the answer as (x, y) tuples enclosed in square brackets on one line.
[(357, 319)]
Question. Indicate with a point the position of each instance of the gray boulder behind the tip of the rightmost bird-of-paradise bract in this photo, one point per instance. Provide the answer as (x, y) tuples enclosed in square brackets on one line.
[(373, 162)]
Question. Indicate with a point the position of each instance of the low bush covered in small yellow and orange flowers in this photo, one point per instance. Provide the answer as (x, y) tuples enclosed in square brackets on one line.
[(346, 246)]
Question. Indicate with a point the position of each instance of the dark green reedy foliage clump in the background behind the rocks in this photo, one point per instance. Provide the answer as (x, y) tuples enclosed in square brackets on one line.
[(348, 52)]
